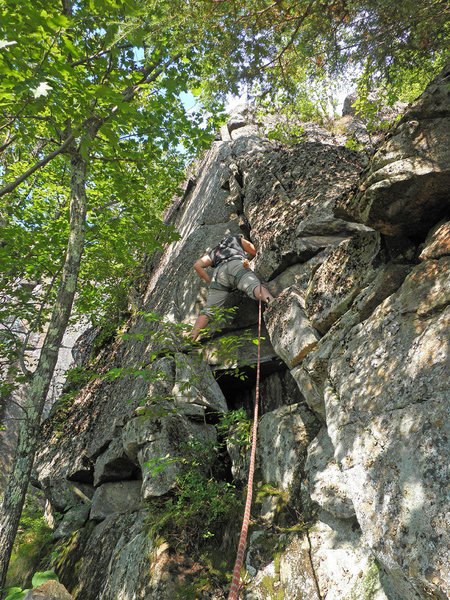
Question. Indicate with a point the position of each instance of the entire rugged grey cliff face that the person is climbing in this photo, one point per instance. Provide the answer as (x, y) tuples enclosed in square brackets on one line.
[(353, 438)]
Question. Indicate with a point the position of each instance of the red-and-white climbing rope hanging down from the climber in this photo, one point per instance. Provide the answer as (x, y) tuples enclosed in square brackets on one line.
[(244, 530)]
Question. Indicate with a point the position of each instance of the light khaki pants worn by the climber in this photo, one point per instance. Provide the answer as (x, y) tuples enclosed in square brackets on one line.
[(225, 274)]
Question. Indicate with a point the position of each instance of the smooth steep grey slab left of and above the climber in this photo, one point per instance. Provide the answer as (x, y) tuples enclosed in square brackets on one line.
[(203, 218)]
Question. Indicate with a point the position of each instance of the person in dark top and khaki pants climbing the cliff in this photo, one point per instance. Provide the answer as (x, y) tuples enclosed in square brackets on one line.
[(231, 270)]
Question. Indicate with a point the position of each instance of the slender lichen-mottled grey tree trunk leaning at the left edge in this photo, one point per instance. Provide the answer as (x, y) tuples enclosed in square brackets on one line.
[(19, 477)]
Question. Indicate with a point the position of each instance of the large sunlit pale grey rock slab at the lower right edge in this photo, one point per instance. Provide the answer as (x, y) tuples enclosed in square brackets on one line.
[(388, 417)]
